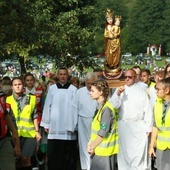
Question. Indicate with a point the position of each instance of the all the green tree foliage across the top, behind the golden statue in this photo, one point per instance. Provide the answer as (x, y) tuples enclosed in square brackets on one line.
[(71, 30)]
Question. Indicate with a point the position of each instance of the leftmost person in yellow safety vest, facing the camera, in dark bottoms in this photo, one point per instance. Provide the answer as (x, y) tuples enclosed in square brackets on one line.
[(22, 108)]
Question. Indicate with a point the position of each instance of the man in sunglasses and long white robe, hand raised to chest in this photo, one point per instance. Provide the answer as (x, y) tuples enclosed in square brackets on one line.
[(134, 123)]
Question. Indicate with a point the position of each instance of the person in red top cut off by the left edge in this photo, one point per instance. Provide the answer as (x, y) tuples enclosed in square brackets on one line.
[(7, 157)]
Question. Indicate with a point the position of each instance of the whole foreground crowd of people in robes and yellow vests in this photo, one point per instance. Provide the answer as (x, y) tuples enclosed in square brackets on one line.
[(51, 124)]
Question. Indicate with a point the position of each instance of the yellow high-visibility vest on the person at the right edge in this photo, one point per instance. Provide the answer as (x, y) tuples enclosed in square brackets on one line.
[(163, 138)]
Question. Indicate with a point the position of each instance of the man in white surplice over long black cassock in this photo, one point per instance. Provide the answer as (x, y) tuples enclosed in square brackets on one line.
[(62, 144)]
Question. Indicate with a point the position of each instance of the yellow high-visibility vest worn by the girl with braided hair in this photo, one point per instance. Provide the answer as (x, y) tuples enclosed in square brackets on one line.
[(109, 145)]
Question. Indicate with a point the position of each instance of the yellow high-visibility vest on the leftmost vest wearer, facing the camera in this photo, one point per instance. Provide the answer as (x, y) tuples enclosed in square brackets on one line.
[(24, 119)]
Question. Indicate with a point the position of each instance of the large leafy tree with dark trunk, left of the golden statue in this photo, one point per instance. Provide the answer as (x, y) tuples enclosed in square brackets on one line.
[(57, 28)]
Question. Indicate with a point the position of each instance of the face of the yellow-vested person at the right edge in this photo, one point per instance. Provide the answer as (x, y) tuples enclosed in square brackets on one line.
[(161, 90)]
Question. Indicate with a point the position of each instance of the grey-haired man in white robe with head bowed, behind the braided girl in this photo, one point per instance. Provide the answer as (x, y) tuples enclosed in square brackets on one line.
[(82, 108)]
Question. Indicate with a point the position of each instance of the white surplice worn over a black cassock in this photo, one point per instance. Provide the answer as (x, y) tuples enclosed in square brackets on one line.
[(56, 110)]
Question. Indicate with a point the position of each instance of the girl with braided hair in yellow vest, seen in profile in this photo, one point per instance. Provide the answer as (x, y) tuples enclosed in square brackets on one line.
[(103, 144)]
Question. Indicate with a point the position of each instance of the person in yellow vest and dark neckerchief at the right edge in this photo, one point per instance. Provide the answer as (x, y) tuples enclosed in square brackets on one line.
[(161, 127)]
